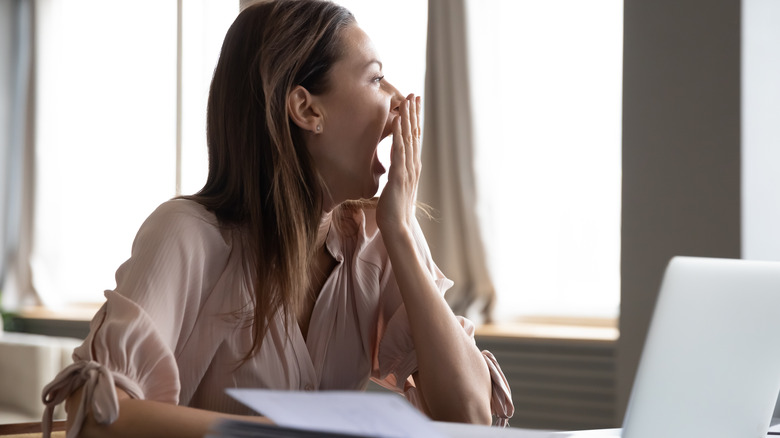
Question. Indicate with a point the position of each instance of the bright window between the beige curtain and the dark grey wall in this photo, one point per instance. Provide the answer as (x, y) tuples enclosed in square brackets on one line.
[(546, 87)]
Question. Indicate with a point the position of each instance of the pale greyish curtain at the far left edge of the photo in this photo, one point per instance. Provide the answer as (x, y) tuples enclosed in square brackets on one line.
[(16, 155)]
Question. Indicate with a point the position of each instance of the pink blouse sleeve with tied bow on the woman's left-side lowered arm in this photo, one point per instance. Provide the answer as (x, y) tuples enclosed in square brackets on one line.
[(134, 337)]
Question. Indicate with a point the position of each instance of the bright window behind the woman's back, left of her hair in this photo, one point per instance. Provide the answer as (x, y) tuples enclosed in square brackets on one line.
[(106, 129)]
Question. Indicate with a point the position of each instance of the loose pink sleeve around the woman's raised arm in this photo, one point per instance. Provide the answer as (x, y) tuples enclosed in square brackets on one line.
[(395, 360)]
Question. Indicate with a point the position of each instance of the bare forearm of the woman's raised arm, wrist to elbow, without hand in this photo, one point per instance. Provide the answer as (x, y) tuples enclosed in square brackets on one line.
[(453, 377)]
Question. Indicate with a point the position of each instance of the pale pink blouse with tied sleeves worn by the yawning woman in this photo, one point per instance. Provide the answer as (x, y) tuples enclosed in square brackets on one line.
[(176, 327)]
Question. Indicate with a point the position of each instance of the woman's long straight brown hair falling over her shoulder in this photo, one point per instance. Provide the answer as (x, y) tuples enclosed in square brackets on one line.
[(261, 177)]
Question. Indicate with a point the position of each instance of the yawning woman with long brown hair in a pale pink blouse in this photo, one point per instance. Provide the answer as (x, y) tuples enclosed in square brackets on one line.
[(276, 274)]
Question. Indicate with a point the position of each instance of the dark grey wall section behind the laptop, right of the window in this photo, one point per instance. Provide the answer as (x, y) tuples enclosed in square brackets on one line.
[(681, 152)]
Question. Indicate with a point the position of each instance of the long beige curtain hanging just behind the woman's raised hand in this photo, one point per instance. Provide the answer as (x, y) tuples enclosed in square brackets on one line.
[(447, 181)]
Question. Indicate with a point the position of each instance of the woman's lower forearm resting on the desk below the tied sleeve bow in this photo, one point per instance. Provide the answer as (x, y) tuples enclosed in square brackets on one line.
[(146, 418)]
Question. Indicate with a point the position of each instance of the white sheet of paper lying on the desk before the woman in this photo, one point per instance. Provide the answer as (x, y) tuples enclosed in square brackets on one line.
[(361, 413)]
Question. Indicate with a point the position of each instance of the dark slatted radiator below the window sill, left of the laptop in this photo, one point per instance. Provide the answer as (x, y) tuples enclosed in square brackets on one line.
[(558, 384)]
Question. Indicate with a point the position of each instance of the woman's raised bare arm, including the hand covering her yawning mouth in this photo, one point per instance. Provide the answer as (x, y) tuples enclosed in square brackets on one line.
[(452, 375)]
